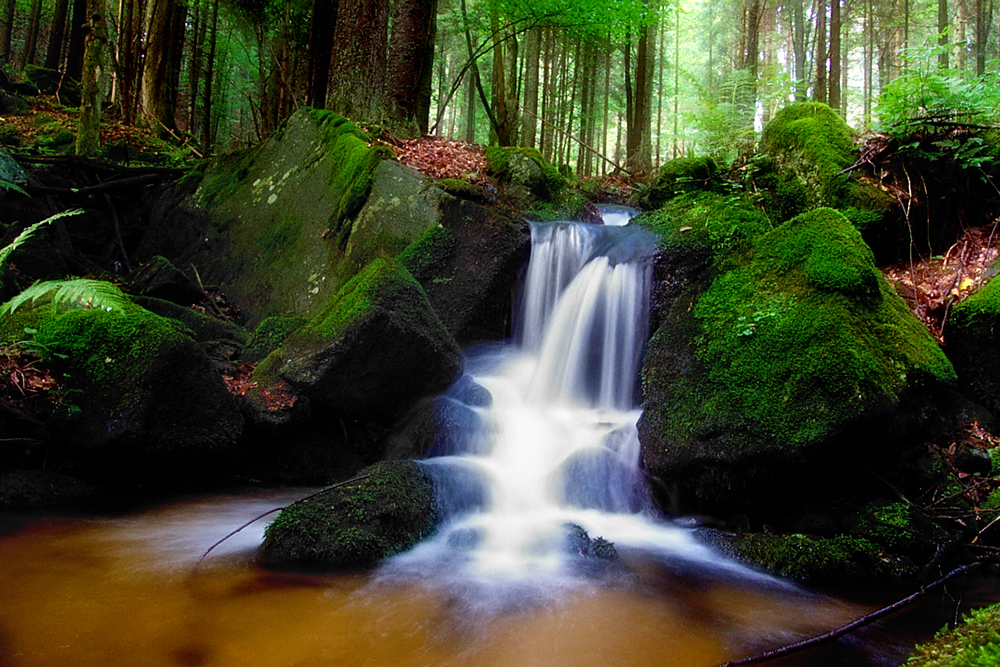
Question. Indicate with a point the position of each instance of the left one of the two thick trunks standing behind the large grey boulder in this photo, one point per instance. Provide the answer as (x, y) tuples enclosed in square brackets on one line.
[(359, 60)]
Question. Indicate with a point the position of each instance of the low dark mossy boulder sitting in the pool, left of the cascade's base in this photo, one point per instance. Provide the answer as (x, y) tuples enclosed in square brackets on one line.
[(383, 510)]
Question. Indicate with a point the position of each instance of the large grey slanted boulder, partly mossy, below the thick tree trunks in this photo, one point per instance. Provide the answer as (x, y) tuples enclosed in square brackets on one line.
[(283, 227)]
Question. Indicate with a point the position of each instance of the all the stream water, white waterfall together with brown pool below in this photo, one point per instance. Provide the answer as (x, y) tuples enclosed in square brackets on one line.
[(545, 463)]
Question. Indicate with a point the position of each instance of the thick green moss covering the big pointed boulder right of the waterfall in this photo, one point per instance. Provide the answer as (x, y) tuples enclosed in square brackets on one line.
[(799, 338)]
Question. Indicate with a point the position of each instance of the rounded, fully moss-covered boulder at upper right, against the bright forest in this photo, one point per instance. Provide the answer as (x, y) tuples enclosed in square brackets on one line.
[(804, 153)]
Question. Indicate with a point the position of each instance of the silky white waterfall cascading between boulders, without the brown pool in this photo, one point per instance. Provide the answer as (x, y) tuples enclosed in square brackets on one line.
[(544, 429)]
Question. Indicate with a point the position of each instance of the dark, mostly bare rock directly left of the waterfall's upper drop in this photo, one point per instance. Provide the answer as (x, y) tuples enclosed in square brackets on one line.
[(468, 266)]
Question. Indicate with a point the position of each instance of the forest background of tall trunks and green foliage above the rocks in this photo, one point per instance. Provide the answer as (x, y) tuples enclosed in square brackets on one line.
[(601, 86)]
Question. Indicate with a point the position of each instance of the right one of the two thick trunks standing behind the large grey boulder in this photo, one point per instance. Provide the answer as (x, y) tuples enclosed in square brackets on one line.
[(411, 62)]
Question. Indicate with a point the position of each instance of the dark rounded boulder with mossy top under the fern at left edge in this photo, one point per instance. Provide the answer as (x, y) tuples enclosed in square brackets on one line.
[(144, 389)]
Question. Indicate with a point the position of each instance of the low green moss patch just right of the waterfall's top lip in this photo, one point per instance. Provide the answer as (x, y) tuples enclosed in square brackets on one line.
[(704, 220)]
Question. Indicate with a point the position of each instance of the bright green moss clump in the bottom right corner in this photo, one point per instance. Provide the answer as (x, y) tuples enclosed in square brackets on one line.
[(974, 643)]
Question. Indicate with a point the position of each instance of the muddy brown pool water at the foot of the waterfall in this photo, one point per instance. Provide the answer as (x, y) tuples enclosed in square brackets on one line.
[(128, 590)]
